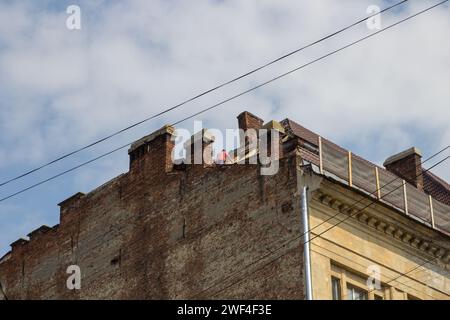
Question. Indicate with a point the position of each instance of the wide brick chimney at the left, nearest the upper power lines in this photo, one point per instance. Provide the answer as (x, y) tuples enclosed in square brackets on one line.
[(153, 153)]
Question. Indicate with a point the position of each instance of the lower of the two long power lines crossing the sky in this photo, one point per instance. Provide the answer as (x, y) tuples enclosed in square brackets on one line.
[(233, 97)]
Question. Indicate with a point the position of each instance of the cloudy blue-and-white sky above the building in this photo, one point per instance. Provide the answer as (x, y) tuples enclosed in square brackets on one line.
[(61, 89)]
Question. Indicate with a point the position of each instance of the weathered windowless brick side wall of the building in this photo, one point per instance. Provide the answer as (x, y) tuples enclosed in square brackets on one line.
[(187, 233)]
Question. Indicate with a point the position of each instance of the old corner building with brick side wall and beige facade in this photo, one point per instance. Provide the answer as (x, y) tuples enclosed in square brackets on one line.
[(225, 231)]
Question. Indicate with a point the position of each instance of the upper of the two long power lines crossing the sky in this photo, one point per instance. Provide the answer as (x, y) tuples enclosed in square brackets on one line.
[(197, 96)]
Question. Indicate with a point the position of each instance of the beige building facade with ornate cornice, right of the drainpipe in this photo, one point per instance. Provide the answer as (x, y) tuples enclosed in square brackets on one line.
[(375, 253)]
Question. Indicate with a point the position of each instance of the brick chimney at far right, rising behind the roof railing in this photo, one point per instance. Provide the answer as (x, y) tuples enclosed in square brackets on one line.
[(407, 165)]
